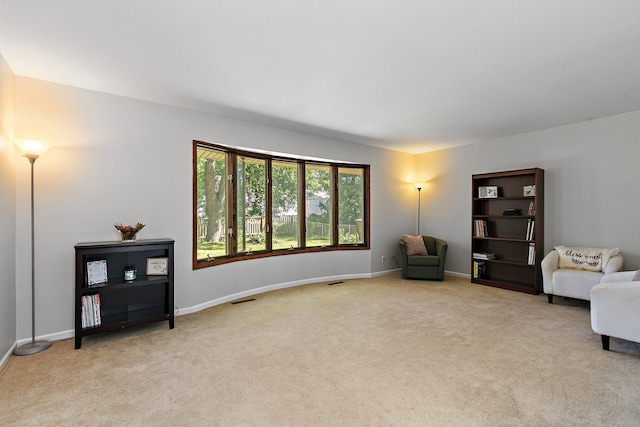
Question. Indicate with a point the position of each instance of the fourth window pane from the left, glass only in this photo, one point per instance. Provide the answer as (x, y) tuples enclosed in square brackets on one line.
[(318, 205)]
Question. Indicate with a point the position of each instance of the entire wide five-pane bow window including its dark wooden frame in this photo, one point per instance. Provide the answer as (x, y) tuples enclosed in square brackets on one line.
[(248, 206)]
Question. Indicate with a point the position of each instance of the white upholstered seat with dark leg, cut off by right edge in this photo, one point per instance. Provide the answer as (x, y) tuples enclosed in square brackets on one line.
[(614, 308)]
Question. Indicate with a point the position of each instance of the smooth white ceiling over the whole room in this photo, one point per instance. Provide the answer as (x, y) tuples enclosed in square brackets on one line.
[(410, 75)]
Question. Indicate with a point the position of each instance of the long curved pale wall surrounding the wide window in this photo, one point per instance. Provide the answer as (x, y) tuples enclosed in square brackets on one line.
[(120, 160)]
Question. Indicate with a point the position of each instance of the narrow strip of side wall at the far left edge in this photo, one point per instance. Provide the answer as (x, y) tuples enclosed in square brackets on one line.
[(7, 213)]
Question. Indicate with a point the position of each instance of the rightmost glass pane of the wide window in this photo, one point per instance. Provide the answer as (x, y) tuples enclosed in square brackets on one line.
[(350, 205)]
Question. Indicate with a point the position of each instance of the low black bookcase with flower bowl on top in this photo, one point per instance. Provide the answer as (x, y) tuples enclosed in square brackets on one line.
[(118, 304)]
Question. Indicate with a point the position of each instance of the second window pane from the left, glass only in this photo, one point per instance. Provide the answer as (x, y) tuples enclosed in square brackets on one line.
[(251, 204)]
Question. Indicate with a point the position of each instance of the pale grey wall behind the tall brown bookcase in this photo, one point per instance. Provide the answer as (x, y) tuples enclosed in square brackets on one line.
[(591, 185)]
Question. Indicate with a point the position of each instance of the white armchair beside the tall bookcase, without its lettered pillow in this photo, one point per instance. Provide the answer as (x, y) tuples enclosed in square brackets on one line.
[(573, 282)]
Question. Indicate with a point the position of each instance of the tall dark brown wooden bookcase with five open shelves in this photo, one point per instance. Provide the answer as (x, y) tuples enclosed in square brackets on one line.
[(509, 226)]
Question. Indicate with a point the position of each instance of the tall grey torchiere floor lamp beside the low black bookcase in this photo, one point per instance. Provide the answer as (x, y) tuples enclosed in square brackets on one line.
[(32, 150)]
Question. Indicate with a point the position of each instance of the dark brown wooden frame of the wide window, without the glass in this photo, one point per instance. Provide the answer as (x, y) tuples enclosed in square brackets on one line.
[(231, 155)]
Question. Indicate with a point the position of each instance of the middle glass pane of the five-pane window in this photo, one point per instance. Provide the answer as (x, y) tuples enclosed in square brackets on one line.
[(284, 199)]
